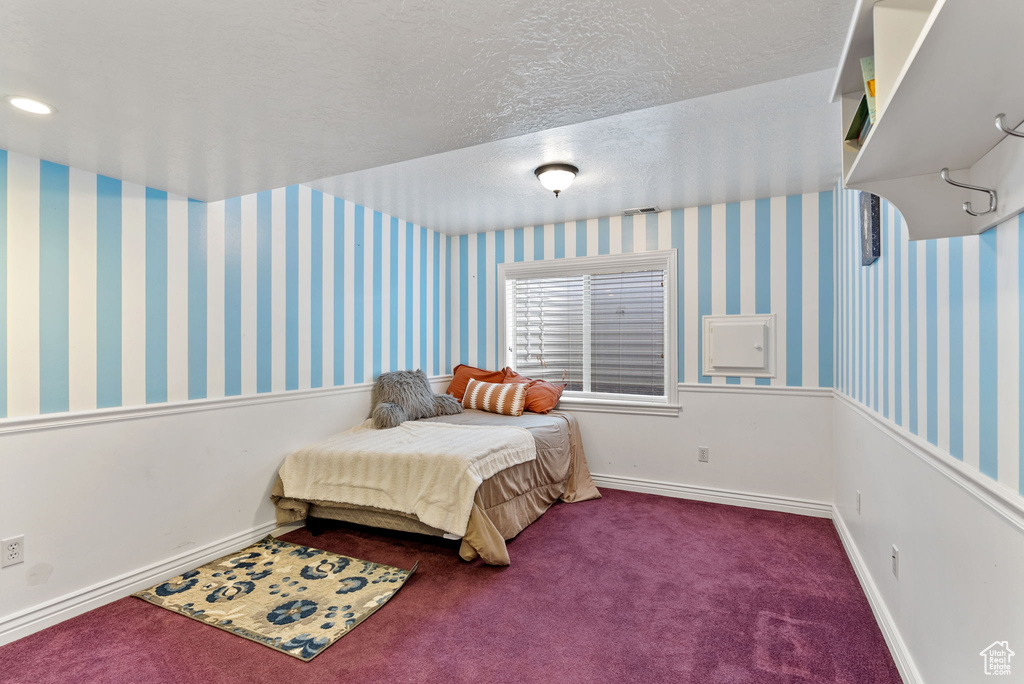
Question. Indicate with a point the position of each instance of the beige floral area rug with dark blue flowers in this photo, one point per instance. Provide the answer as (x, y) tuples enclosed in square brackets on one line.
[(295, 600)]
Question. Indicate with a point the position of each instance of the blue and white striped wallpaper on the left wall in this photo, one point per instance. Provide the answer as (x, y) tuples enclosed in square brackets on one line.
[(117, 295)]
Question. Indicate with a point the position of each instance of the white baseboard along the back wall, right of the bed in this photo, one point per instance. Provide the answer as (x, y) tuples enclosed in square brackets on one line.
[(819, 509)]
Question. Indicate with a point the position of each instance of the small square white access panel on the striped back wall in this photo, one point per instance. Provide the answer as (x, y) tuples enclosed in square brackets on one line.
[(740, 346)]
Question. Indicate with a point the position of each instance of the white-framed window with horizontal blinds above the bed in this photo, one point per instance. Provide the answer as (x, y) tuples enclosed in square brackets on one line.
[(605, 326)]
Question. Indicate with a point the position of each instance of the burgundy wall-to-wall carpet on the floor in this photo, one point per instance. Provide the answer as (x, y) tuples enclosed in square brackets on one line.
[(632, 588)]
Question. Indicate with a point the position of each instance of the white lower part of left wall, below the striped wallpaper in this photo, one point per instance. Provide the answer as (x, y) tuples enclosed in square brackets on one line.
[(111, 502)]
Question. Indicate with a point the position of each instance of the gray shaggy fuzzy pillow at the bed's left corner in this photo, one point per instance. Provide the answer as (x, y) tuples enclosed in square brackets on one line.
[(406, 396)]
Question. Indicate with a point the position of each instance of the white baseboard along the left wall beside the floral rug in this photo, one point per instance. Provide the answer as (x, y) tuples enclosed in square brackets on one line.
[(37, 618)]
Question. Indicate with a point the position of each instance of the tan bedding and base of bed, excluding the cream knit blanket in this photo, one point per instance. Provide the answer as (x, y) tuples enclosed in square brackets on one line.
[(504, 504)]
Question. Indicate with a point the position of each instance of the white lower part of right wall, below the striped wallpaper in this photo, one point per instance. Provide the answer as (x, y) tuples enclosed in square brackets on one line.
[(962, 548)]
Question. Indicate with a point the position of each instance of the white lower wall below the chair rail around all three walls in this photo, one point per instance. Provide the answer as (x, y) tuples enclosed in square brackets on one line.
[(116, 501)]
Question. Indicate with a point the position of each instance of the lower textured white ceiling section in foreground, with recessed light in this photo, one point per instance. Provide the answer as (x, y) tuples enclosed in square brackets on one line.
[(214, 100)]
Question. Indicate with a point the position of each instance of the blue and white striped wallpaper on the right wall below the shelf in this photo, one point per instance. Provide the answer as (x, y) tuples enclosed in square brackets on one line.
[(929, 336)]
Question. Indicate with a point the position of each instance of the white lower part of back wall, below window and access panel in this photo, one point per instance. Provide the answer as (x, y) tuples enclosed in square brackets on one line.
[(771, 448)]
